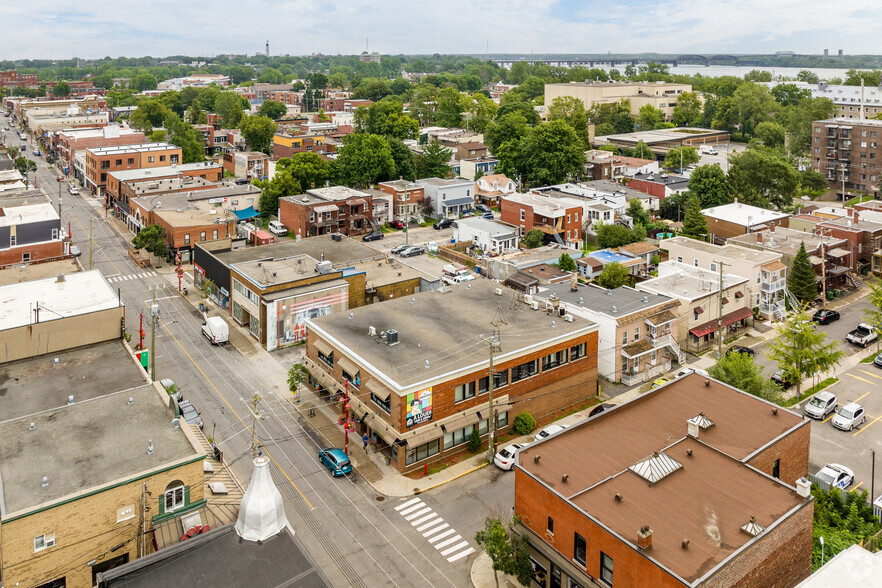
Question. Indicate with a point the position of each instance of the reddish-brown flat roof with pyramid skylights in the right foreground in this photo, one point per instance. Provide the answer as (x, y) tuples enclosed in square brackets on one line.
[(676, 507)]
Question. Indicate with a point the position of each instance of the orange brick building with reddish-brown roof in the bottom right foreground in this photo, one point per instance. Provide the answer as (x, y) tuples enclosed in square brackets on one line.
[(700, 489)]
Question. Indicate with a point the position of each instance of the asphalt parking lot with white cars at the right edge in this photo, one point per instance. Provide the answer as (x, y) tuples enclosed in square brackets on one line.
[(861, 384)]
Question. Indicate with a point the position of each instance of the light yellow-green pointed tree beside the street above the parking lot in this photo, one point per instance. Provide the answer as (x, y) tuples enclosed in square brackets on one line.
[(801, 350)]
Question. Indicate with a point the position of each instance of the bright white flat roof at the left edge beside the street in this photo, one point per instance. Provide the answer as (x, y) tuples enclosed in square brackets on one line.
[(79, 293)]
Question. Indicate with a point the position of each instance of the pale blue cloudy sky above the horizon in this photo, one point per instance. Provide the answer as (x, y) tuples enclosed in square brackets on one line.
[(51, 29)]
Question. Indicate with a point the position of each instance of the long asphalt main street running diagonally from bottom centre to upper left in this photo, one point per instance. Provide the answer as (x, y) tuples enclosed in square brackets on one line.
[(354, 538)]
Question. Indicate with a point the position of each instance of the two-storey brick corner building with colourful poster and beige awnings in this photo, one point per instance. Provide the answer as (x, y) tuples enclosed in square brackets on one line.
[(418, 391)]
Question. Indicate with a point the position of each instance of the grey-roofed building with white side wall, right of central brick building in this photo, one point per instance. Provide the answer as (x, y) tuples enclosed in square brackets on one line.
[(637, 332)]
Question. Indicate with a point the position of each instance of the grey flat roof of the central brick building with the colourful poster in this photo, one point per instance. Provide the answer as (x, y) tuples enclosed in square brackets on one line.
[(445, 329)]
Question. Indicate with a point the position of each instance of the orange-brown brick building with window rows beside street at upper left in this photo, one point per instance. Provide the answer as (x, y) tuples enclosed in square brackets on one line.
[(100, 161)]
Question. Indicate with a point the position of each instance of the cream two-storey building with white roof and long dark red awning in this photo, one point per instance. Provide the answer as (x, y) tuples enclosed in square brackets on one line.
[(703, 309)]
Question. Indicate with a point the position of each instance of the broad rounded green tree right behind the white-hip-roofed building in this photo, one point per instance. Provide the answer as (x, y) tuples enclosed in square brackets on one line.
[(765, 176)]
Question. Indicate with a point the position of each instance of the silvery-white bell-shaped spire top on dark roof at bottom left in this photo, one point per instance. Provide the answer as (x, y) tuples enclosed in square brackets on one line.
[(261, 513)]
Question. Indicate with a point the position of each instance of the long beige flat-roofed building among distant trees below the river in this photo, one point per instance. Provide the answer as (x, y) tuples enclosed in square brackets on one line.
[(659, 95)]
